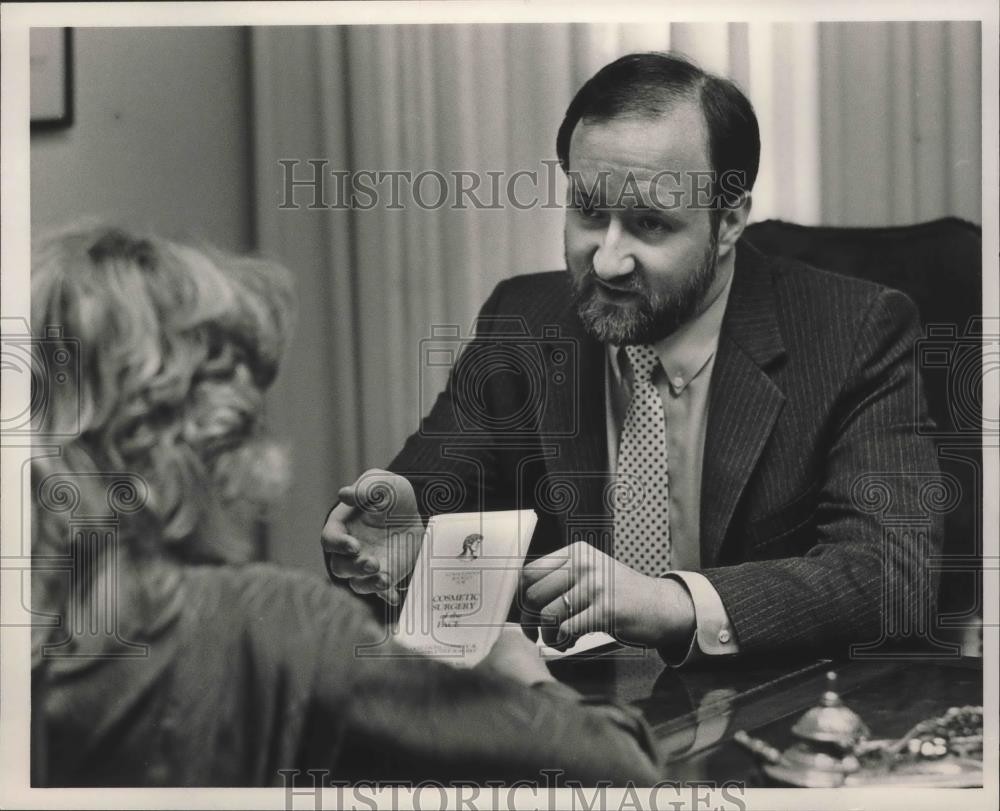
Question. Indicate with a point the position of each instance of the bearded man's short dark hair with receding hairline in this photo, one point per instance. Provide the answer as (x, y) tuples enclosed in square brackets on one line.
[(646, 85)]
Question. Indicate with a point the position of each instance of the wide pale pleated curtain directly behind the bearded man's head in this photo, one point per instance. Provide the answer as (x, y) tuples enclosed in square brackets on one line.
[(475, 98)]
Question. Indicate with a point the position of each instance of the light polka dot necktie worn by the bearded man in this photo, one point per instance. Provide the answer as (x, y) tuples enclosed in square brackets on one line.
[(642, 514)]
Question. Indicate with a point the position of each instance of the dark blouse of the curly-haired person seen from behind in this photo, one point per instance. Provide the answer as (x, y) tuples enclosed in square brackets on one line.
[(255, 669)]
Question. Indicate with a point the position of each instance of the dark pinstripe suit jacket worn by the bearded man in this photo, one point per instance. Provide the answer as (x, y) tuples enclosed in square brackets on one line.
[(813, 453)]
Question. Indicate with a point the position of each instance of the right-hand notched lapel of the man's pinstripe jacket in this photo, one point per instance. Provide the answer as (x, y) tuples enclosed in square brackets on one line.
[(744, 402)]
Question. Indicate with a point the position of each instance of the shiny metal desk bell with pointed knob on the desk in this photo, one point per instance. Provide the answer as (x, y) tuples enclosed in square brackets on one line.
[(823, 757)]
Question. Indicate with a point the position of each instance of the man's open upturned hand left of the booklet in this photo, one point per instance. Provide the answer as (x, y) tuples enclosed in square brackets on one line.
[(373, 536)]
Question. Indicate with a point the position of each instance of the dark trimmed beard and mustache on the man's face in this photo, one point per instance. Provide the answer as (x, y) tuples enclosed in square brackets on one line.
[(650, 318)]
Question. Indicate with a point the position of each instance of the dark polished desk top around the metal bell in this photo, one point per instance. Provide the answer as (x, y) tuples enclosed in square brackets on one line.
[(694, 713)]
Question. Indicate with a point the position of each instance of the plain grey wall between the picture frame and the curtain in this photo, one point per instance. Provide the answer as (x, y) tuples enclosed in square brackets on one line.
[(160, 137)]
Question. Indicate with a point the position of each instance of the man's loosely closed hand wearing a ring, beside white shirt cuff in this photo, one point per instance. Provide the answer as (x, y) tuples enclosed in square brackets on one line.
[(580, 589)]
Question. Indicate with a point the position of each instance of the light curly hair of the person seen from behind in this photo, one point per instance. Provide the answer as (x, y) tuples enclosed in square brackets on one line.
[(173, 350)]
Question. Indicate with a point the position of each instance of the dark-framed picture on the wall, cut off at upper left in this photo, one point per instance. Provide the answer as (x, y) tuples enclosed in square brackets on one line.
[(51, 77)]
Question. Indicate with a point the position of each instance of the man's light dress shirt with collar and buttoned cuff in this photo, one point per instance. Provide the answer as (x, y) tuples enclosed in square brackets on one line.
[(687, 357)]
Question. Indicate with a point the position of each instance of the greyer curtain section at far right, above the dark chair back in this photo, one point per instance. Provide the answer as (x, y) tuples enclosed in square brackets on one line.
[(901, 123)]
